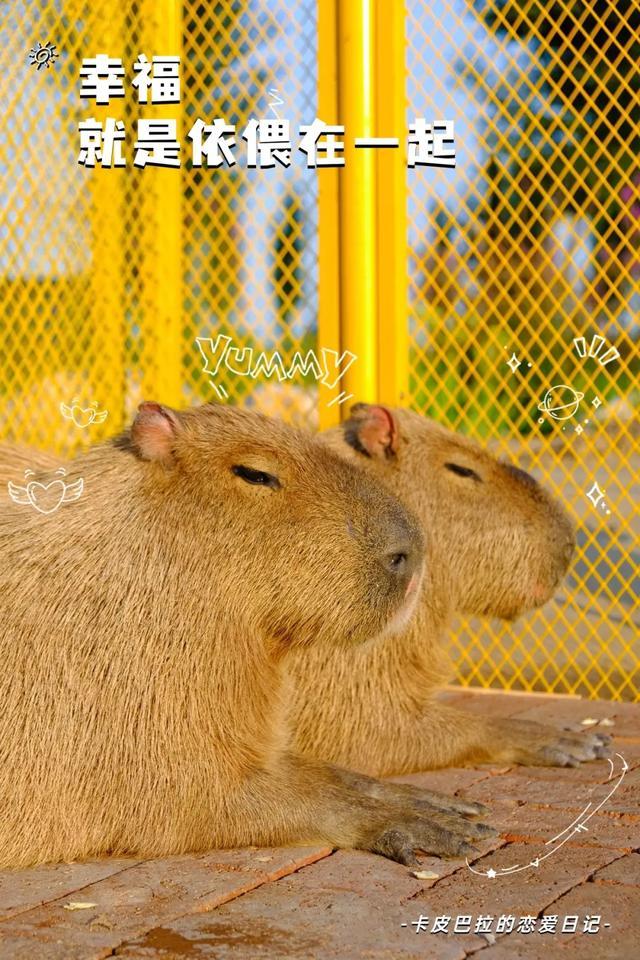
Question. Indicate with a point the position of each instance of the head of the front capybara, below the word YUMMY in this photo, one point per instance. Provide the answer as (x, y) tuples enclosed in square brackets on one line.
[(306, 544)]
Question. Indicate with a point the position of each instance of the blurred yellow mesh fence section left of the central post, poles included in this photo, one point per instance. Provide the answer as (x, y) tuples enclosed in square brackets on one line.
[(107, 276)]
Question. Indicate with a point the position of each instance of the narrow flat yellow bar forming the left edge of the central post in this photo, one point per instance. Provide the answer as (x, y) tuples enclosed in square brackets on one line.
[(328, 203)]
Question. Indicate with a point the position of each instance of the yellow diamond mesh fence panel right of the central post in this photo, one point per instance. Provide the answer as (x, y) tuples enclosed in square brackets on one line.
[(530, 249)]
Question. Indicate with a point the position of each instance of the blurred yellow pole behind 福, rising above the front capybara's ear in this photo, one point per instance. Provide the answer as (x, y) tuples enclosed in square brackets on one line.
[(167, 248)]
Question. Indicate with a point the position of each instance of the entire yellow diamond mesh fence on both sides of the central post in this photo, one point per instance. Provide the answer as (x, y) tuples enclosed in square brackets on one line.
[(523, 263)]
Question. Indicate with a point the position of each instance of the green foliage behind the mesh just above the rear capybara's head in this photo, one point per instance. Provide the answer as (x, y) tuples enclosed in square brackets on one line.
[(460, 376)]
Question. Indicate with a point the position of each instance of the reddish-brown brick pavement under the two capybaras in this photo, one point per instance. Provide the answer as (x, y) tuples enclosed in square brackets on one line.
[(312, 903)]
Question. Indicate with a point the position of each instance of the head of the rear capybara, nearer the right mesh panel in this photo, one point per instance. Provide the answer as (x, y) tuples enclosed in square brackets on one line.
[(497, 542)]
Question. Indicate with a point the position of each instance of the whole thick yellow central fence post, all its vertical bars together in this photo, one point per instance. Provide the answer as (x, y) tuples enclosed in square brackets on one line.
[(363, 236)]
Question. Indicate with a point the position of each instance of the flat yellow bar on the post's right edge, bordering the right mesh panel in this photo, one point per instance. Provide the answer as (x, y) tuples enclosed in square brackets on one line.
[(392, 268)]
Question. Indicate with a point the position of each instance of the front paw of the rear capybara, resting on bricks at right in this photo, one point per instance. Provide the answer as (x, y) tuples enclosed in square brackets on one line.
[(536, 745)]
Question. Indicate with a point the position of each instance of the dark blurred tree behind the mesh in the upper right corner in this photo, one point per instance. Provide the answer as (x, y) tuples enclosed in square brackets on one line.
[(562, 125)]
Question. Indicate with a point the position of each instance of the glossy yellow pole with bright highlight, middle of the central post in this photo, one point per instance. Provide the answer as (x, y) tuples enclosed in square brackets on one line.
[(357, 201)]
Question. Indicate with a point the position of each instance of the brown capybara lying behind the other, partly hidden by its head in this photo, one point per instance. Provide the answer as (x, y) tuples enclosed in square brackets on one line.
[(497, 545)]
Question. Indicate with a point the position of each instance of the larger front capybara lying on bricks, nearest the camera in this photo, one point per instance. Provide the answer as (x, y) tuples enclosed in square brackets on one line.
[(143, 628)]
